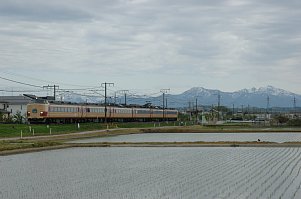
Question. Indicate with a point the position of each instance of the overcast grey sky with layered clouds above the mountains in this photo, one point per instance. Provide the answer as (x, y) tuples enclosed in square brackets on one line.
[(152, 44)]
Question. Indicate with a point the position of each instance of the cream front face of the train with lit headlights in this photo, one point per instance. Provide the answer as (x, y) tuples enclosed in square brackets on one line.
[(37, 113)]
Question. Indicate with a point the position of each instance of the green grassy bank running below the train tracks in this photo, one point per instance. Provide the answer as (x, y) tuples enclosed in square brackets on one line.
[(14, 130)]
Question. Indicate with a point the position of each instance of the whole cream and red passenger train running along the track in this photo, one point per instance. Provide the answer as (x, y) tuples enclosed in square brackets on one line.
[(69, 113)]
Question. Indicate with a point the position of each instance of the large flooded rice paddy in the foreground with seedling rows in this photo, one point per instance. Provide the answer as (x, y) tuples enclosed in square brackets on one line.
[(135, 173)]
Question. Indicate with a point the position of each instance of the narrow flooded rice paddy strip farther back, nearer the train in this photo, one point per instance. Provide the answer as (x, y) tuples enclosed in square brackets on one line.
[(193, 137)]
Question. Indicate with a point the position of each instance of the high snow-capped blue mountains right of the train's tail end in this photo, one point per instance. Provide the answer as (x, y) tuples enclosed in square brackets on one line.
[(261, 97)]
